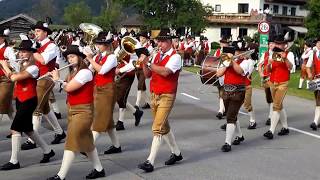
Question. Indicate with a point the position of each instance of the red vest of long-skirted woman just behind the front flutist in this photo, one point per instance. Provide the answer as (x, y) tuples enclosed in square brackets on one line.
[(103, 79)]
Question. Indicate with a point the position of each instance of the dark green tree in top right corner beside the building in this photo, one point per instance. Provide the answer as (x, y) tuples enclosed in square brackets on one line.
[(312, 20)]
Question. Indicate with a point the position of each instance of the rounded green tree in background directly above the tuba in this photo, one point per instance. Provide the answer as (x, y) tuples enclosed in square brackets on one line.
[(77, 13)]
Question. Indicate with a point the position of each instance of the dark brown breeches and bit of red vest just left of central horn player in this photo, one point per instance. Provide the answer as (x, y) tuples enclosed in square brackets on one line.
[(123, 85)]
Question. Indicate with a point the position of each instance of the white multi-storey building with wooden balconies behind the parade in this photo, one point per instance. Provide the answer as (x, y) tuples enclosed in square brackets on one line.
[(238, 18)]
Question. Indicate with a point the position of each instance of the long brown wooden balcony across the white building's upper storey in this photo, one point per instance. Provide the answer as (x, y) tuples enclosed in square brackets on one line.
[(253, 19)]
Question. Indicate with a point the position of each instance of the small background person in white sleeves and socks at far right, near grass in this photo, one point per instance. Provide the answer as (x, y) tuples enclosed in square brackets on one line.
[(305, 56)]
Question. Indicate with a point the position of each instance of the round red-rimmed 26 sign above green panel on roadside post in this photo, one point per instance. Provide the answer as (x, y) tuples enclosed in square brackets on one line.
[(263, 28)]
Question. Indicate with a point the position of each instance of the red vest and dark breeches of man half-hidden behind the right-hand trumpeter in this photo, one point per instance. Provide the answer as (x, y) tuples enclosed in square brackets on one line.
[(266, 79)]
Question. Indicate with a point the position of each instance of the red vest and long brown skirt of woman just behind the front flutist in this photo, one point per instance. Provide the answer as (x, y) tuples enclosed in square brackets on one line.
[(104, 98)]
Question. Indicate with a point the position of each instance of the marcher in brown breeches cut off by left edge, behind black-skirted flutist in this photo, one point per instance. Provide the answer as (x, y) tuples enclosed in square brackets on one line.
[(6, 86)]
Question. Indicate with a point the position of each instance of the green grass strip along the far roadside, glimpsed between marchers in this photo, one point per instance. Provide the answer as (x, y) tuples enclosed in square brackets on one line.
[(293, 83)]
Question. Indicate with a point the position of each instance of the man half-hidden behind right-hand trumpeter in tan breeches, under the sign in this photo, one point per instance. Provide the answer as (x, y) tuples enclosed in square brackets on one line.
[(265, 76)]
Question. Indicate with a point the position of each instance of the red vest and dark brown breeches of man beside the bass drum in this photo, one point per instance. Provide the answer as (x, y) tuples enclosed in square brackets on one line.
[(234, 93)]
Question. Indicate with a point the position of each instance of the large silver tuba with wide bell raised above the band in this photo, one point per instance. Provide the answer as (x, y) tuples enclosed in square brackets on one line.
[(90, 31)]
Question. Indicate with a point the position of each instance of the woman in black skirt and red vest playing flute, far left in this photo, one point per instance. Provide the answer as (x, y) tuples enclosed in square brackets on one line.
[(26, 102)]
